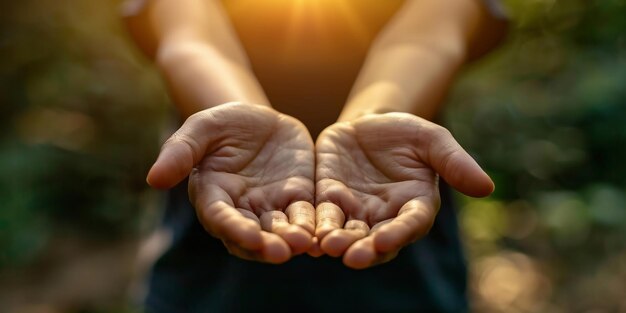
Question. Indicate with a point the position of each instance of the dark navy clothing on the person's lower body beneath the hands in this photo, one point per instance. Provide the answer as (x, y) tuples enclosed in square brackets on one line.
[(198, 275)]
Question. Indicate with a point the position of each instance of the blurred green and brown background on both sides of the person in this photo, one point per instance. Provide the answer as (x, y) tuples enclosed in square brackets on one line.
[(81, 113)]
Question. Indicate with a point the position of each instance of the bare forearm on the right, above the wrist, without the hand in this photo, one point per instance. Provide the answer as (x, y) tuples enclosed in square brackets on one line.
[(413, 62)]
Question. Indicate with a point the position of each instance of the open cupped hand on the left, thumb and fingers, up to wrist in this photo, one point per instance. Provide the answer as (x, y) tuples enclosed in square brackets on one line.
[(251, 178)]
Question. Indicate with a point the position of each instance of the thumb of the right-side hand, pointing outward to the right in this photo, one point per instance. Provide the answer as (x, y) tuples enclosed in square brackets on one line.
[(455, 165)]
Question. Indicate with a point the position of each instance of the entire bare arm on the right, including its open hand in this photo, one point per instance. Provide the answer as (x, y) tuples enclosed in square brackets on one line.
[(377, 172)]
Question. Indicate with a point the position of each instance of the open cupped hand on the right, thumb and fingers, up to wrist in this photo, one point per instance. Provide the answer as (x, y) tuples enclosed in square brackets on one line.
[(377, 184)]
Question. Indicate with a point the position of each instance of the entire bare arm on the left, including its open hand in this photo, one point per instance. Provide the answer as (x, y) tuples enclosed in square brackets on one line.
[(250, 168)]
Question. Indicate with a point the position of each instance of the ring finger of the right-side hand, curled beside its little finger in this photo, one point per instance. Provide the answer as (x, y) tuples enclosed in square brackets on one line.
[(338, 240)]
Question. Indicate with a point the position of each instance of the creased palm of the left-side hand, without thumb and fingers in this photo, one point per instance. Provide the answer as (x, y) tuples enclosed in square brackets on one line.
[(263, 164)]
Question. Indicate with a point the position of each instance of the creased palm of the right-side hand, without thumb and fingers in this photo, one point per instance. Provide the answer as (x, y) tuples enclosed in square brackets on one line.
[(368, 177)]
